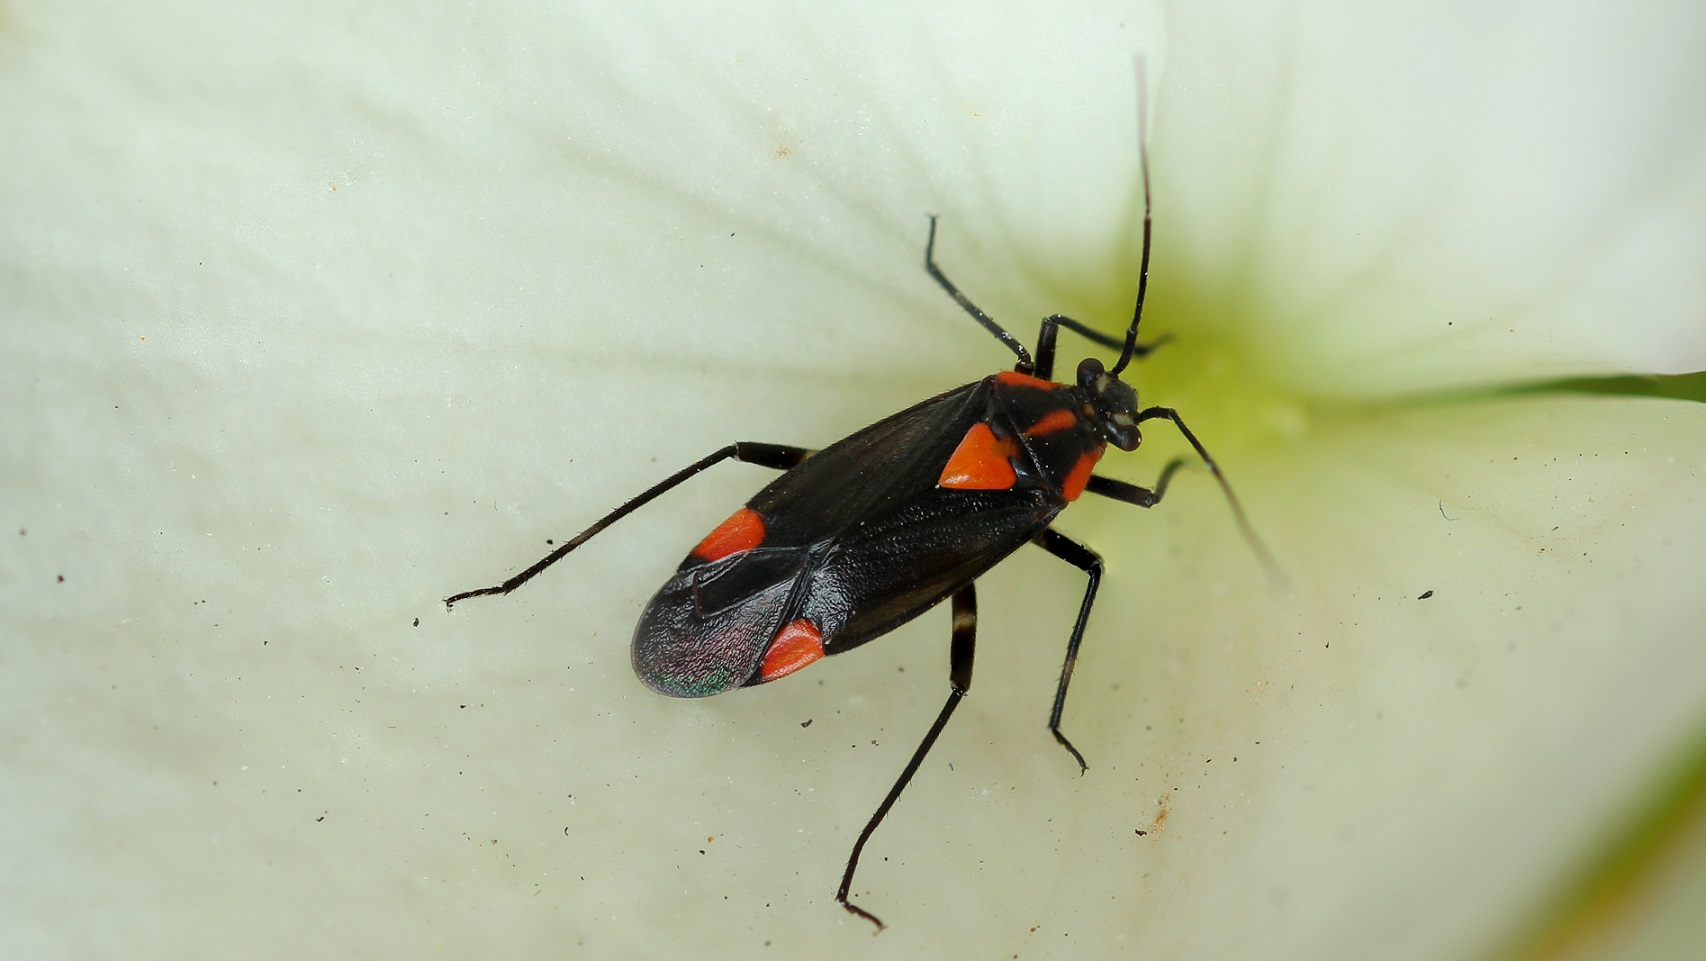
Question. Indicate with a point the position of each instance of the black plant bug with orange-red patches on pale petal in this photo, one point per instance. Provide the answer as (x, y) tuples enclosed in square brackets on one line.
[(866, 535)]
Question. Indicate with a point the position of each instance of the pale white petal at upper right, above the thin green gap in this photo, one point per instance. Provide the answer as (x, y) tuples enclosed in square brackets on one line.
[(1419, 197)]
